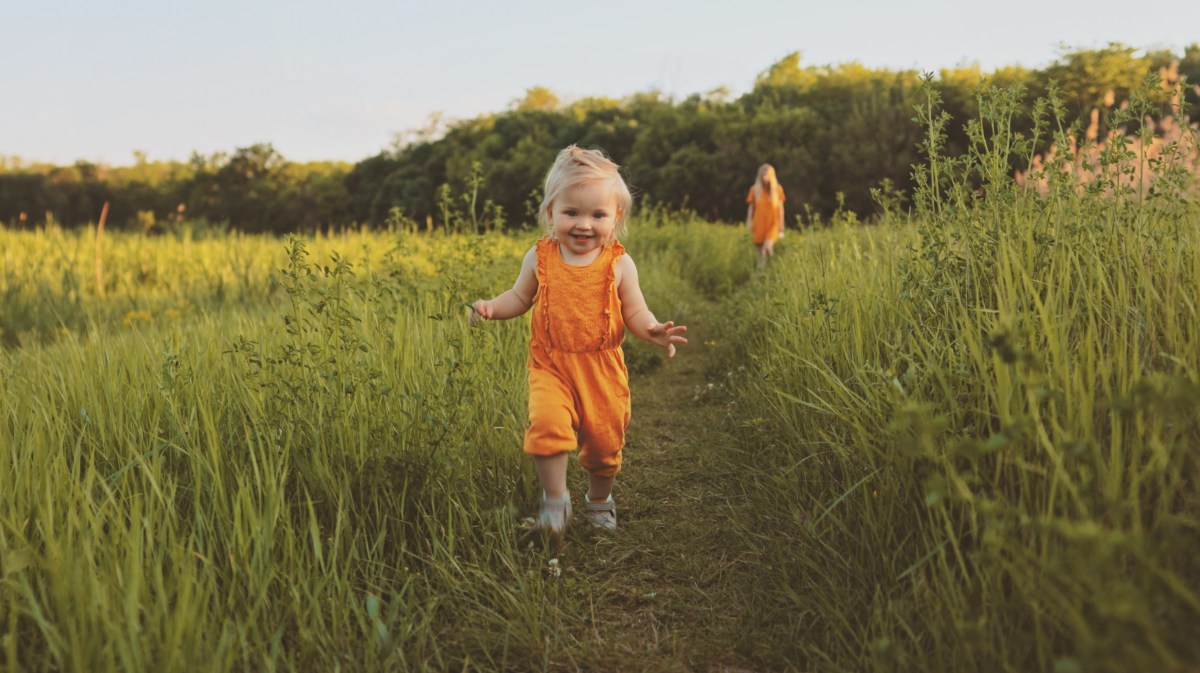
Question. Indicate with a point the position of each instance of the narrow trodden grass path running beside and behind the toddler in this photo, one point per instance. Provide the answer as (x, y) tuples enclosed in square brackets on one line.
[(665, 591)]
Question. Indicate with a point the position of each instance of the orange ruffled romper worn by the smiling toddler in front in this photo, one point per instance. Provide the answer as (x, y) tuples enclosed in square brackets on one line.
[(579, 387)]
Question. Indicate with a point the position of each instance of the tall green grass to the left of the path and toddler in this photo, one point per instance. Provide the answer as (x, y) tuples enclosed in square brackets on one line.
[(321, 473)]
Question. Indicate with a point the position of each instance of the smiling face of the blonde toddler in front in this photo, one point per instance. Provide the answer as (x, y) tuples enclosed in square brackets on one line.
[(584, 220)]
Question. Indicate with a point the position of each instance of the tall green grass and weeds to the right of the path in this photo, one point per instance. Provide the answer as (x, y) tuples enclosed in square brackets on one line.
[(975, 437)]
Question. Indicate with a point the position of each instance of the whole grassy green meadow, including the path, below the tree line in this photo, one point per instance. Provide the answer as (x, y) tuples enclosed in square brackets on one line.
[(961, 438)]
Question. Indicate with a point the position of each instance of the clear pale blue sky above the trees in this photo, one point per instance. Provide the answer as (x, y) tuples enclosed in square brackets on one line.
[(86, 80)]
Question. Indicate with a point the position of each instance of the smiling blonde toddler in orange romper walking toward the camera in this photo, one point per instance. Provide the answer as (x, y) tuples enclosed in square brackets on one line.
[(584, 292)]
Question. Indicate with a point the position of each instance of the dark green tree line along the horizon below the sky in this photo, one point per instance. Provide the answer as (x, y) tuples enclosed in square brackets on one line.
[(832, 133)]
